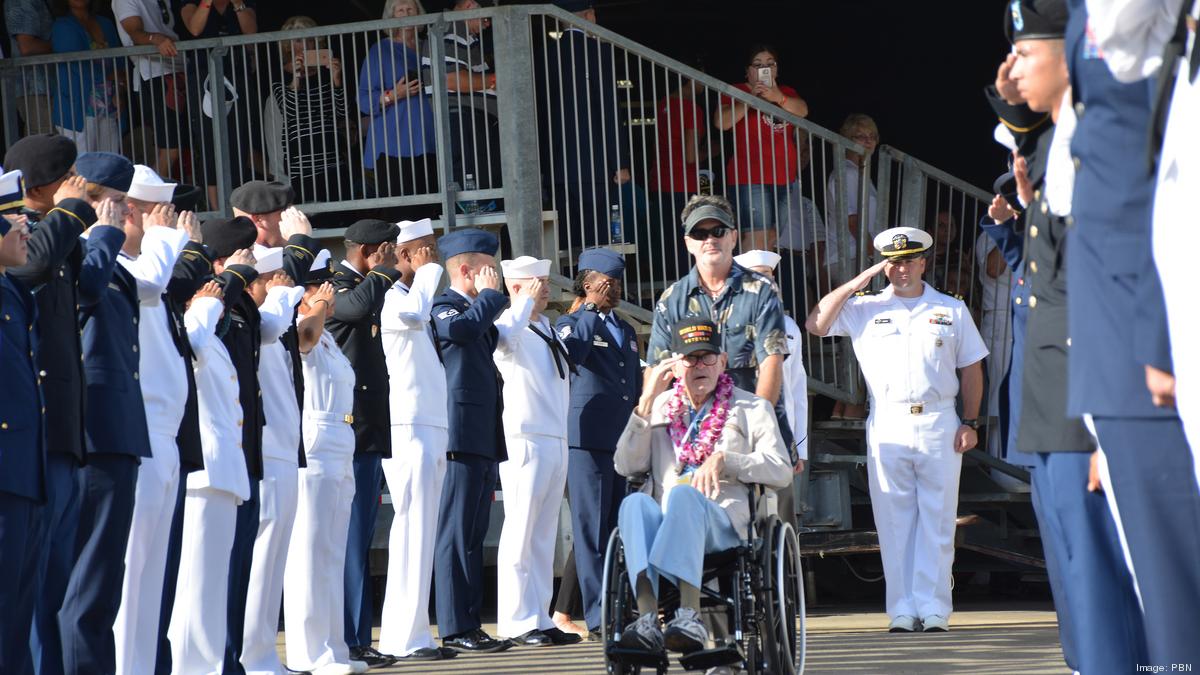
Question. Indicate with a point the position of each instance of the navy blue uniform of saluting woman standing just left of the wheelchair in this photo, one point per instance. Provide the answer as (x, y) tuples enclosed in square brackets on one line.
[(604, 393)]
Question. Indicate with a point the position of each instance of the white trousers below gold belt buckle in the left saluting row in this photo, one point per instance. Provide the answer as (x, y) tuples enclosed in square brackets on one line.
[(314, 578)]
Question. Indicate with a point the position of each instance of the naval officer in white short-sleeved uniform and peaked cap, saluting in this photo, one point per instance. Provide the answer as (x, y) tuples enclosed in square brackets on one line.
[(914, 344)]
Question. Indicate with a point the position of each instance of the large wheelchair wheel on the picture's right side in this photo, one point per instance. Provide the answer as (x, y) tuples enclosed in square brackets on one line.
[(788, 632)]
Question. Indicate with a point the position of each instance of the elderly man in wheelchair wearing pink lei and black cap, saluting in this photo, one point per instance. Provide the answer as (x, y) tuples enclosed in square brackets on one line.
[(707, 450)]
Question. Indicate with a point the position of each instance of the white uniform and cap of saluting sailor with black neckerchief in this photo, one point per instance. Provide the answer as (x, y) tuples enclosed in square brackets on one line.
[(537, 401)]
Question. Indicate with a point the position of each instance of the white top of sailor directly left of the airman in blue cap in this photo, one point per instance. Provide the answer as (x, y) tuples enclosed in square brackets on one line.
[(418, 379)]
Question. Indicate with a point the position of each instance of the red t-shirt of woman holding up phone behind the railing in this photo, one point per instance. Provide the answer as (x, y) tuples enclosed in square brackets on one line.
[(765, 150)]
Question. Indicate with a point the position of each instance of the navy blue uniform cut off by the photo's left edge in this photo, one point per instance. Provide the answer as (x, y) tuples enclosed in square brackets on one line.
[(22, 470)]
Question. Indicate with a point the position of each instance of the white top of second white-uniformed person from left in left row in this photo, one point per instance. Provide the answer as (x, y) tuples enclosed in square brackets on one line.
[(220, 409)]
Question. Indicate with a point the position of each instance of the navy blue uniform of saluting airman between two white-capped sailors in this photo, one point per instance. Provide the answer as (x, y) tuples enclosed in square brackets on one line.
[(467, 337)]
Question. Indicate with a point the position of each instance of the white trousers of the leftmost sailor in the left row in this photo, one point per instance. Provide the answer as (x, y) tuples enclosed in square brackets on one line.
[(136, 631)]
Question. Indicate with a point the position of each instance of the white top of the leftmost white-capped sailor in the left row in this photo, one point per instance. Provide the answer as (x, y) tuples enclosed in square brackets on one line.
[(164, 371)]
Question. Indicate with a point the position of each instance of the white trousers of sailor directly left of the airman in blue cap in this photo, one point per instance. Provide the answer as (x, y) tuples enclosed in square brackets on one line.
[(415, 473)]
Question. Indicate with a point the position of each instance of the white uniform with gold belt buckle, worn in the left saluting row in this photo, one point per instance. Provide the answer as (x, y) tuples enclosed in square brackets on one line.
[(313, 580)]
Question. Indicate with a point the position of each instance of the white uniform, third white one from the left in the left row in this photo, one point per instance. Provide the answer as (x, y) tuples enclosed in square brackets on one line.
[(279, 489)]
